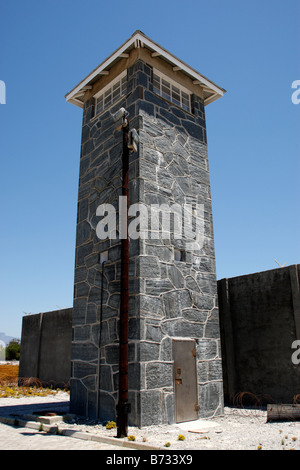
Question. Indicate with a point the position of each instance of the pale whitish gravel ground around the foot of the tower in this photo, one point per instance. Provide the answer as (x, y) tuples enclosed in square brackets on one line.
[(237, 429)]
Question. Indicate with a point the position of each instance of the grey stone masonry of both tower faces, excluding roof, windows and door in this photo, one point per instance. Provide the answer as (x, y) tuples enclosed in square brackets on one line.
[(168, 298)]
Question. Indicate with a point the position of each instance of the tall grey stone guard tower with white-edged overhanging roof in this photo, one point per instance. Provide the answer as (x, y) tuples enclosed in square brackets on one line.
[(174, 341)]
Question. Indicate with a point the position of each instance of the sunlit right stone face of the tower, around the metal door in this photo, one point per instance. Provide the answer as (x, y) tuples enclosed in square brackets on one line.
[(177, 298)]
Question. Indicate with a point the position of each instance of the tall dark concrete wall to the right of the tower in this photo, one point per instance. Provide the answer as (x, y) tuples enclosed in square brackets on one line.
[(259, 321)]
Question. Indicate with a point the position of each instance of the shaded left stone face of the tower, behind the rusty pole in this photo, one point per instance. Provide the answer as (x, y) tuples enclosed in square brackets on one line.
[(95, 344)]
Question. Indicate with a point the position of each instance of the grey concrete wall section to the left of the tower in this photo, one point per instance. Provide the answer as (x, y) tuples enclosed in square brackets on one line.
[(46, 347)]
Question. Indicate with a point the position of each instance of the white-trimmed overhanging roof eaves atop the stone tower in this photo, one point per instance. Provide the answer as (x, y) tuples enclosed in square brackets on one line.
[(138, 39)]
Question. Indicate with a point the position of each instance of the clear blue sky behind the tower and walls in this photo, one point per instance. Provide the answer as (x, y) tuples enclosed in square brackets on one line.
[(249, 48)]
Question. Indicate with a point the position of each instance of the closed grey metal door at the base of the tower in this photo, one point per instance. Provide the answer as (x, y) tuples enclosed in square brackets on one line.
[(185, 380)]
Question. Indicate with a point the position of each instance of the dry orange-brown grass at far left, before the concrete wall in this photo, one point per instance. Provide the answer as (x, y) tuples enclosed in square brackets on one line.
[(9, 379)]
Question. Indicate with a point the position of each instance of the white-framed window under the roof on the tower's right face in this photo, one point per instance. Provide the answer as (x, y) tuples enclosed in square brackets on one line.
[(171, 91)]
